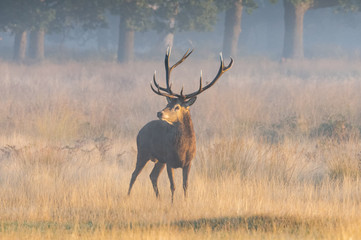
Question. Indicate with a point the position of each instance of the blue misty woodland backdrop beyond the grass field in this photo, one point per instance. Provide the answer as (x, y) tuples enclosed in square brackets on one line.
[(332, 30)]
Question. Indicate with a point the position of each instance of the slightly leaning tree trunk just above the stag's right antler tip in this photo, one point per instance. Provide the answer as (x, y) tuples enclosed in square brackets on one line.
[(232, 29)]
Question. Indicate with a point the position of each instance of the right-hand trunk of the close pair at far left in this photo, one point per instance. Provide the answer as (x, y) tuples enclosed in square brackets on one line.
[(36, 44)]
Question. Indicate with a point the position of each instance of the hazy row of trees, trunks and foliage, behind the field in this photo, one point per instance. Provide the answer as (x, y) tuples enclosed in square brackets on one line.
[(30, 22)]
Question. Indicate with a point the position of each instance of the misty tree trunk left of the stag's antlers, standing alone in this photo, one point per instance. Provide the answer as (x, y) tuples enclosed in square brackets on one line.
[(125, 42)]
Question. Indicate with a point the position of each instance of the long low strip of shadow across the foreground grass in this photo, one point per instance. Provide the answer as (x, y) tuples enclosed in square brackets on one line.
[(257, 223)]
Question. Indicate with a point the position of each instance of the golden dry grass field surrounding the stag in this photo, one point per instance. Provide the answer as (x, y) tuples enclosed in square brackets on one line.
[(278, 152)]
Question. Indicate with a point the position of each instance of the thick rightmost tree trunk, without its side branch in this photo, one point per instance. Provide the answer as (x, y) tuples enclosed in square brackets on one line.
[(293, 36)]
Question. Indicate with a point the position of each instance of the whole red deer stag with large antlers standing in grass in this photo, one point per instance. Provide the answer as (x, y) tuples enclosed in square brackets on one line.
[(170, 140)]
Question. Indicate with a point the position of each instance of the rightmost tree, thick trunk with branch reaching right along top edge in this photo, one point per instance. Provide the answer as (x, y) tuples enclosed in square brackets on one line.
[(293, 18)]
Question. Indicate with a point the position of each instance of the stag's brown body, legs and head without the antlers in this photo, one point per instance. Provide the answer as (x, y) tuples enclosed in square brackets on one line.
[(169, 142)]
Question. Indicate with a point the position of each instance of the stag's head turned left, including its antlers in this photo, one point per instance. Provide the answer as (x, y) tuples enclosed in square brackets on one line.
[(178, 104)]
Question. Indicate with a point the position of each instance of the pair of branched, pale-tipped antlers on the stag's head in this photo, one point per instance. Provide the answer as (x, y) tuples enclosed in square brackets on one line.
[(167, 92)]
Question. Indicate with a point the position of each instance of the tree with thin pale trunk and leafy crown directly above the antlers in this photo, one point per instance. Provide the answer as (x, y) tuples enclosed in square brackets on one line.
[(173, 16)]
